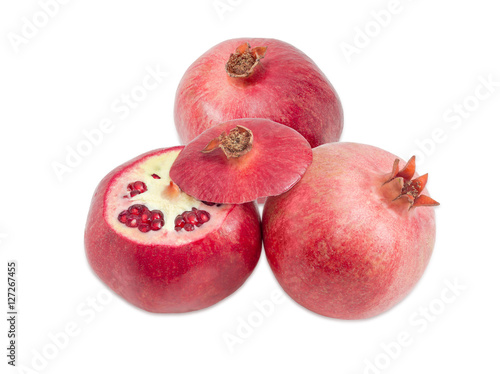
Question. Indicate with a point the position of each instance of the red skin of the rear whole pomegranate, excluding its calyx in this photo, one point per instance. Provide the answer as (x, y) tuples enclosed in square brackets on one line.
[(287, 87)]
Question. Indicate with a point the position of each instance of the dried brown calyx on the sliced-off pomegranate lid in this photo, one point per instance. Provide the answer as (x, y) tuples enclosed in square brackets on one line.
[(237, 143)]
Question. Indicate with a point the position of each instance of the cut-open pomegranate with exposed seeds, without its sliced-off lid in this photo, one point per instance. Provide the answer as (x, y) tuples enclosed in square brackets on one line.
[(161, 249)]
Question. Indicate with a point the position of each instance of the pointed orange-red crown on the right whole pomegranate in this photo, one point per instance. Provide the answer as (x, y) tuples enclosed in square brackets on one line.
[(411, 189)]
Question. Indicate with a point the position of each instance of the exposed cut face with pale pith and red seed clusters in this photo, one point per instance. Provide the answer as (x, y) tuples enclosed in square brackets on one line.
[(143, 204)]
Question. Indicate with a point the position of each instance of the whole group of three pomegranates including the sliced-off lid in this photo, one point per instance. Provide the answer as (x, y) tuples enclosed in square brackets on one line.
[(347, 229)]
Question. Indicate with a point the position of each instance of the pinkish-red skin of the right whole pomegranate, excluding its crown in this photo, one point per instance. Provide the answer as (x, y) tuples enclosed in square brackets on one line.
[(338, 244)]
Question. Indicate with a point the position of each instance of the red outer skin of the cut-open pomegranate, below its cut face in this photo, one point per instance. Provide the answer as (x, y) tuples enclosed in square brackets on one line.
[(173, 278)]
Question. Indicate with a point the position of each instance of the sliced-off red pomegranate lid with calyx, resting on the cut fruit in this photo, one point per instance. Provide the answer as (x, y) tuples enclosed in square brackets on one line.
[(241, 160)]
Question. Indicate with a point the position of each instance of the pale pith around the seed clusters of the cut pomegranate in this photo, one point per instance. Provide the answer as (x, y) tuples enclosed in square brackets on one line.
[(156, 198)]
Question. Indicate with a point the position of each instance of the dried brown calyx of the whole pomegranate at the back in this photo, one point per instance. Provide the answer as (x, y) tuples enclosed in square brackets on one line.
[(244, 60)]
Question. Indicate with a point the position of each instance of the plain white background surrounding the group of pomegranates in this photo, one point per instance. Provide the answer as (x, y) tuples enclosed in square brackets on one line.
[(426, 60)]
